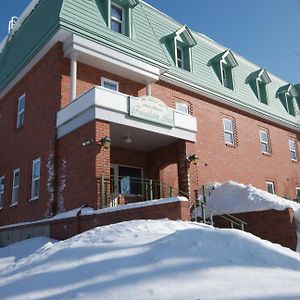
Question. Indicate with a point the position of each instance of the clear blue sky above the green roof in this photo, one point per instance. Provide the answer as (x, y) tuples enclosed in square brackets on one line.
[(264, 31)]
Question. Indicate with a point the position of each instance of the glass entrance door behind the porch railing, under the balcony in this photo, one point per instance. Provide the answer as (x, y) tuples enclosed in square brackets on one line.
[(126, 181)]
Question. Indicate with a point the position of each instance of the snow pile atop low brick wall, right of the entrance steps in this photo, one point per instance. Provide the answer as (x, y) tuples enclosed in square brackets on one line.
[(232, 197)]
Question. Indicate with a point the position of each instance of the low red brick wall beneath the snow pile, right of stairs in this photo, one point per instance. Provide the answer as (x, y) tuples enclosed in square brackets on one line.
[(273, 225)]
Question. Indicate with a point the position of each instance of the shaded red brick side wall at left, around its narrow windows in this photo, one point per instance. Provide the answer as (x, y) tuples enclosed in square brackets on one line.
[(18, 147)]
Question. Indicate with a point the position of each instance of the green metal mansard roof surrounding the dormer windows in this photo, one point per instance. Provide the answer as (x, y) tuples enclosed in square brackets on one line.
[(150, 29)]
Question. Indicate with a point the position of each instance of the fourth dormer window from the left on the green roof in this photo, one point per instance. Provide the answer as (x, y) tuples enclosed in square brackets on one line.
[(258, 81)]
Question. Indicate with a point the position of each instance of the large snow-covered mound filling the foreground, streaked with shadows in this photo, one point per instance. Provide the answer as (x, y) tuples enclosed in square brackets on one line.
[(147, 259)]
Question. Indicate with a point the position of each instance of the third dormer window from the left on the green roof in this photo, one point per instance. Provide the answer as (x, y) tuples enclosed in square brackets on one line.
[(223, 64)]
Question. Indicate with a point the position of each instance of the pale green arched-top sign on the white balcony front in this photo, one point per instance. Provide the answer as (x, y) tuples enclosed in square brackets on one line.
[(151, 109)]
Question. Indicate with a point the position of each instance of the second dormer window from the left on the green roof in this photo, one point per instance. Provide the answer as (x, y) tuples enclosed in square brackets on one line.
[(179, 45)]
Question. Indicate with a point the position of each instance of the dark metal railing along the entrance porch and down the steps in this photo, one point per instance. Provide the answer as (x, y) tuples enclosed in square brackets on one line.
[(112, 194)]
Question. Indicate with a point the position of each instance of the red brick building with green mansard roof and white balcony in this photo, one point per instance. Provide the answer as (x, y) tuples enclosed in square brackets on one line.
[(77, 75)]
